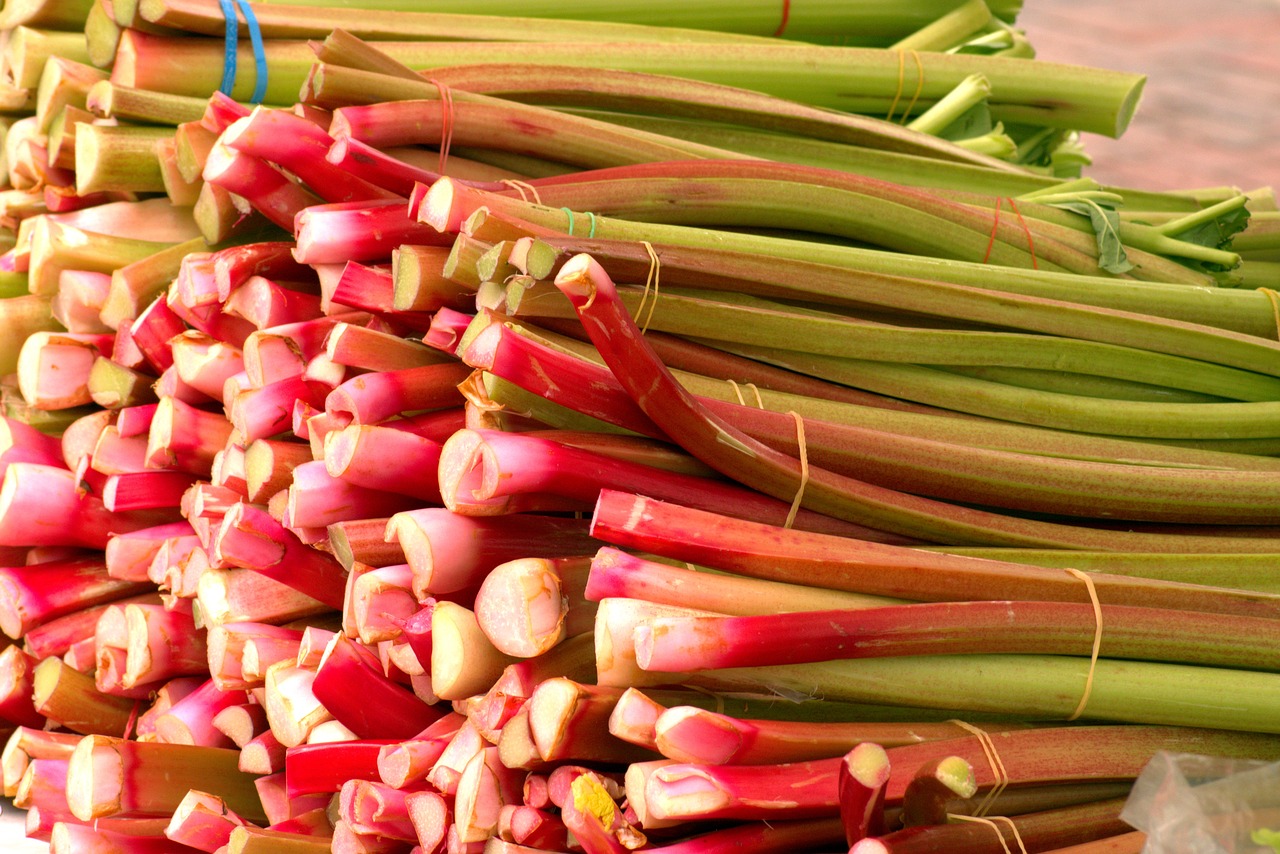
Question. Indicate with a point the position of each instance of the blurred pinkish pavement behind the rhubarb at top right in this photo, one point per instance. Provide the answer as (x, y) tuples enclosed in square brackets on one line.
[(1210, 113)]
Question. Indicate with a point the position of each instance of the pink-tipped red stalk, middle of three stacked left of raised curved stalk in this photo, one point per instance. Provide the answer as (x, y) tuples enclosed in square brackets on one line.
[(371, 399)]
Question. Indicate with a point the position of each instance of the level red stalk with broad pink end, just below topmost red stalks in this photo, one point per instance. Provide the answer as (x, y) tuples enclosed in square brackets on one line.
[(336, 234)]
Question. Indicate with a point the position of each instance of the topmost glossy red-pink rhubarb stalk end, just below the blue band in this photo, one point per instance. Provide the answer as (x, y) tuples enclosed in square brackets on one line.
[(299, 147)]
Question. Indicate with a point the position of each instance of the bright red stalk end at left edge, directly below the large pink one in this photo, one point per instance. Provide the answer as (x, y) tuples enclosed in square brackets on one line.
[(36, 595)]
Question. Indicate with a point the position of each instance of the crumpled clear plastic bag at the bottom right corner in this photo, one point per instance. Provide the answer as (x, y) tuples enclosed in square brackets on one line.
[(1195, 805)]
